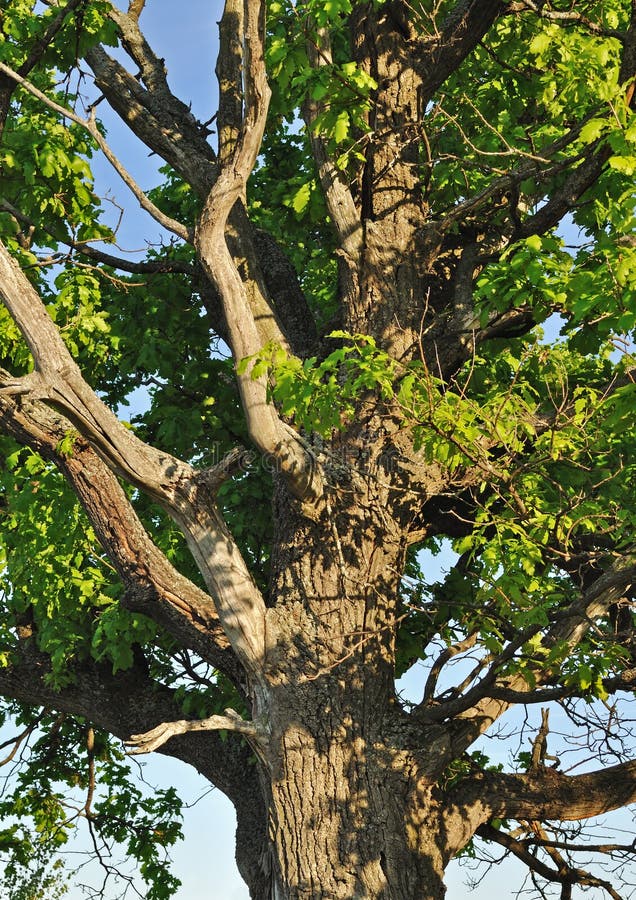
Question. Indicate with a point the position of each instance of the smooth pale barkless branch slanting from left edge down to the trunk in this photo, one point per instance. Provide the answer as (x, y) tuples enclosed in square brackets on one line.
[(171, 482)]
